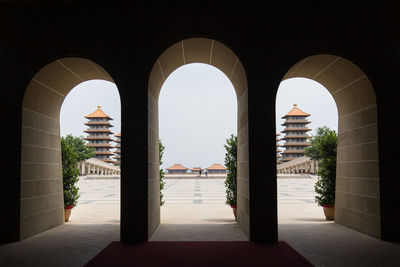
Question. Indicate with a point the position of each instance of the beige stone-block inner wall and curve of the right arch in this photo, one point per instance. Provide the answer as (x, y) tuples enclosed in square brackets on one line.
[(357, 178)]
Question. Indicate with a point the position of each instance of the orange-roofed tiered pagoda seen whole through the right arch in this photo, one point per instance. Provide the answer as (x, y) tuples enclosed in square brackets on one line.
[(295, 134)]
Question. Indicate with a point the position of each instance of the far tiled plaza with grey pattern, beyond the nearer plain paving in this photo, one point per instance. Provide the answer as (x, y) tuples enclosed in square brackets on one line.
[(193, 191)]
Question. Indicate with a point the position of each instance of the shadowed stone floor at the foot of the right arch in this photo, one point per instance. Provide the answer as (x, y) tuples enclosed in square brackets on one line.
[(333, 244)]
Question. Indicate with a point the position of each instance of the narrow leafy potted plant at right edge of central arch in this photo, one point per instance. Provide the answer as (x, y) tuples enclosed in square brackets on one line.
[(231, 177)]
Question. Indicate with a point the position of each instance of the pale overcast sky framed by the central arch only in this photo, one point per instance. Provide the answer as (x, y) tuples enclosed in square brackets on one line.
[(197, 113)]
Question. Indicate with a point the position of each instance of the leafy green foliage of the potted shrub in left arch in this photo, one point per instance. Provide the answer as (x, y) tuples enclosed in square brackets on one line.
[(70, 173)]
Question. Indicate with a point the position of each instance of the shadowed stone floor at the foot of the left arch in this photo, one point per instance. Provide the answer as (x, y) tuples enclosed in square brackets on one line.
[(82, 241)]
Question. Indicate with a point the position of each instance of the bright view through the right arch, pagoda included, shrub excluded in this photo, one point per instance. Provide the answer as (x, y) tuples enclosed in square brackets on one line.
[(302, 107)]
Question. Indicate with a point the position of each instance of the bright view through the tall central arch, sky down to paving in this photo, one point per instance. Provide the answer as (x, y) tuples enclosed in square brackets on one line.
[(197, 113)]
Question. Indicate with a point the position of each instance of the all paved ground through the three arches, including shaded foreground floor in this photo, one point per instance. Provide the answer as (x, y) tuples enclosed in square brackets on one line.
[(195, 209)]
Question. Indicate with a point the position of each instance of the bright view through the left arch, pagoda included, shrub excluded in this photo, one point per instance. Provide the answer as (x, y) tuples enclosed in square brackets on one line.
[(91, 113)]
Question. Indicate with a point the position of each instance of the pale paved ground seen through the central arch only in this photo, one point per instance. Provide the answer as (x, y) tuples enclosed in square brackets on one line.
[(195, 210)]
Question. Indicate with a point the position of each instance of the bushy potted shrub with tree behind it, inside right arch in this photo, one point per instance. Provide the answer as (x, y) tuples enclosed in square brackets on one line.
[(324, 148)]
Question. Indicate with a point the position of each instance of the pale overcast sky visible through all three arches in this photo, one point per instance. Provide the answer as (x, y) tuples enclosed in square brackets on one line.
[(197, 111)]
